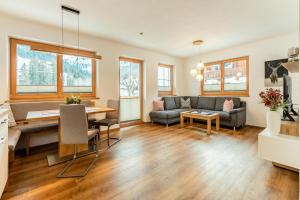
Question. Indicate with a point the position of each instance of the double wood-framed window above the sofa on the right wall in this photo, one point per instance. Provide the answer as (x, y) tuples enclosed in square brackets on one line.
[(226, 77)]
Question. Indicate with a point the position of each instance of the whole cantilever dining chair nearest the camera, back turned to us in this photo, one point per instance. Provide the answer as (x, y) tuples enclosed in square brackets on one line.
[(74, 130)]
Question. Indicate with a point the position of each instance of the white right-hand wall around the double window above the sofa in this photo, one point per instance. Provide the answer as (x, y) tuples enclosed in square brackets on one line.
[(258, 52)]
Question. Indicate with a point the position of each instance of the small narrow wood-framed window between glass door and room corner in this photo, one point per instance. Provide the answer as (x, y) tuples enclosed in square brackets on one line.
[(165, 80)]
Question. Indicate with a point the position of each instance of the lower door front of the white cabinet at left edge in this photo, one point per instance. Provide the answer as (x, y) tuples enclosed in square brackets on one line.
[(3, 163)]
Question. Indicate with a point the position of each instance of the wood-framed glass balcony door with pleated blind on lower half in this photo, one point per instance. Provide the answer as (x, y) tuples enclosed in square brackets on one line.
[(131, 89)]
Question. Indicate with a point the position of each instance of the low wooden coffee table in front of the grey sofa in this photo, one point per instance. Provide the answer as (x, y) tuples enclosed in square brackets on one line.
[(207, 117)]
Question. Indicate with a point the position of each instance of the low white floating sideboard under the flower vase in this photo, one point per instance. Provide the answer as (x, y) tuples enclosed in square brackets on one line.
[(280, 149)]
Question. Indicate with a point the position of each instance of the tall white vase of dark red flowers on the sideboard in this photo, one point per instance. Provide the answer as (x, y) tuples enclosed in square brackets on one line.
[(273, 99)]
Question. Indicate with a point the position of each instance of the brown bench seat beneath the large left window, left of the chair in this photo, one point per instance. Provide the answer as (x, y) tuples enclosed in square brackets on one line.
[(33, 127)]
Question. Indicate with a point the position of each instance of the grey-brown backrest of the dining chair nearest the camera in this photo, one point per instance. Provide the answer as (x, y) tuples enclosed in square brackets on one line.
[(73, 124)]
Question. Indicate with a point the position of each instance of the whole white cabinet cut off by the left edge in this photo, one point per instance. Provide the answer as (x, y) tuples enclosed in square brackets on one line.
[(3, 149)]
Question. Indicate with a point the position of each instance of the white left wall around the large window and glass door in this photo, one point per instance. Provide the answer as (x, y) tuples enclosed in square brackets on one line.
[(107, 75)]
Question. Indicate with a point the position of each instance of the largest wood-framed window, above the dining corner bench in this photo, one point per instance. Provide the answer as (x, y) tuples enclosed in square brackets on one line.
[(40, 71)]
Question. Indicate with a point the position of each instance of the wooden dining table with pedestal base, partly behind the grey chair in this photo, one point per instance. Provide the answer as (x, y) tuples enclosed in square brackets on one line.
[(65, 151)]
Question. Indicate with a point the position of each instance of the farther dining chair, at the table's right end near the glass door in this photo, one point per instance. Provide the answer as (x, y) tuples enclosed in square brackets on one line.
[(111, 118)]
